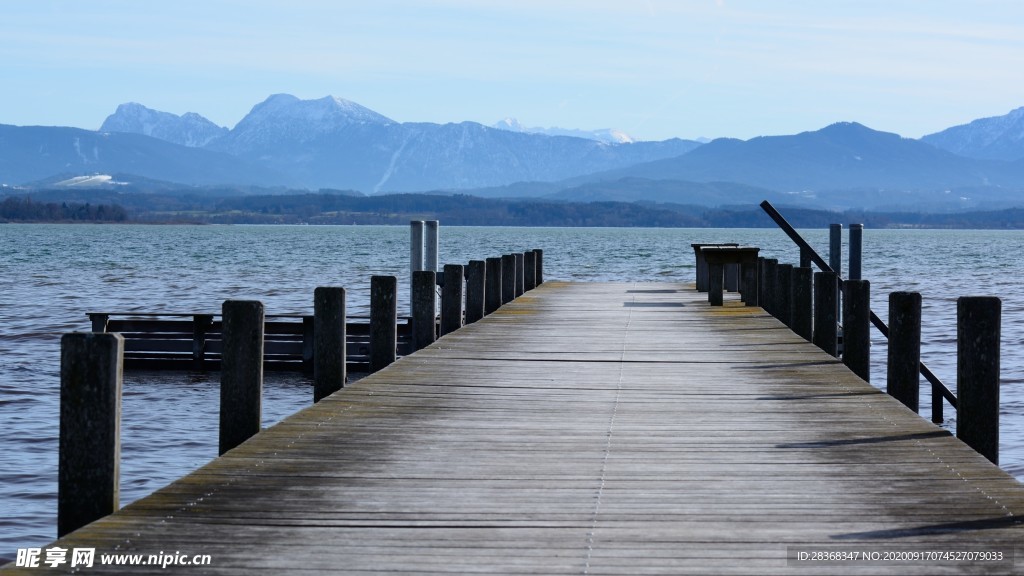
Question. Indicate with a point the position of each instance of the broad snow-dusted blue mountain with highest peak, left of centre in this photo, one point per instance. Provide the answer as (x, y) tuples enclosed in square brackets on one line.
[(336, 143)]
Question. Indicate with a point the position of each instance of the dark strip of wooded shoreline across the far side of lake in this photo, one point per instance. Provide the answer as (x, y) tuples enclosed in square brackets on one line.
[(340, 209)]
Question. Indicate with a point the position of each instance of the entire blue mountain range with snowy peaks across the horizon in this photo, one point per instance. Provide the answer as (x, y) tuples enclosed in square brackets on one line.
[(336, 144)]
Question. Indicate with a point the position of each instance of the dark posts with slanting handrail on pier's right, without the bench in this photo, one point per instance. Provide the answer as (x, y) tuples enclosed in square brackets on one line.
[(978, 336)]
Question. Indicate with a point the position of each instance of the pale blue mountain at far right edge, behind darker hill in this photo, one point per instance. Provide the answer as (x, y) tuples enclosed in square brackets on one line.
[(998, 138)]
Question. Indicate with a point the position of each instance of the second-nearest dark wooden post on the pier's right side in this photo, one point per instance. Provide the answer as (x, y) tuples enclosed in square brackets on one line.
[(904, 362)]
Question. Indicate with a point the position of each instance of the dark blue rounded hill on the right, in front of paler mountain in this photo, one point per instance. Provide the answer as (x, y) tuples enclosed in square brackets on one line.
[(843, 156)]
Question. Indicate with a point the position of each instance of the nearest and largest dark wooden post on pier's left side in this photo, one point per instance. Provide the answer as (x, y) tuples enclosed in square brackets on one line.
[(91, 429)]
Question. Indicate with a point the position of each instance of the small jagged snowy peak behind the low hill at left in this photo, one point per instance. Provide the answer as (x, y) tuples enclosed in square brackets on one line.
[(190, 130)]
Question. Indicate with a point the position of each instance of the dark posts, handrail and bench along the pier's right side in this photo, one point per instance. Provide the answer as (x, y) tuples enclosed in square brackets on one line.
[(809, 304)]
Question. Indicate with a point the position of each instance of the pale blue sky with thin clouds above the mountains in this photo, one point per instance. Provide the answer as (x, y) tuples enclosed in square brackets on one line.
[(654, 69)]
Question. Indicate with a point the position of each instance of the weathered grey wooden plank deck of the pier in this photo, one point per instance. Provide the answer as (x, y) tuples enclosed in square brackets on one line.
[(588, 429)]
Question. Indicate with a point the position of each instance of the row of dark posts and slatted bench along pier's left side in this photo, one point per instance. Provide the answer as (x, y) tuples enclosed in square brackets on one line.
[(242, 342)]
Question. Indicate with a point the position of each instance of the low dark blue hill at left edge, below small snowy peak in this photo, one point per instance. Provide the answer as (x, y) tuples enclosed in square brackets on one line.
[(34, 153)]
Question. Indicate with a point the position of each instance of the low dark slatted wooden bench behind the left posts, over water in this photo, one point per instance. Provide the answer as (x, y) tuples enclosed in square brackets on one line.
[(193, 342)]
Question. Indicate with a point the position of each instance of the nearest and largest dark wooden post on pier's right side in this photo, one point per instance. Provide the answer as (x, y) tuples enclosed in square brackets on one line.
[(978, 327)]
